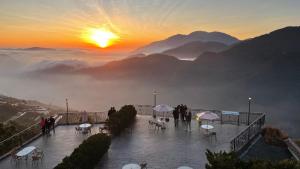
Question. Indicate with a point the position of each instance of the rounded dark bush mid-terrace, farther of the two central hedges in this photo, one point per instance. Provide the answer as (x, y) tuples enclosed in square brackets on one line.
[(120, 120)]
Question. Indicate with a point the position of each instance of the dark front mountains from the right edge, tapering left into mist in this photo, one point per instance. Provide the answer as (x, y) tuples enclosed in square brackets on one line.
[(267, 67)]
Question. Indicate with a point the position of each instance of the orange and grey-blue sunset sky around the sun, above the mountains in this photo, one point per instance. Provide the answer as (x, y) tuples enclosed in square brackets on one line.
[(62, 23)]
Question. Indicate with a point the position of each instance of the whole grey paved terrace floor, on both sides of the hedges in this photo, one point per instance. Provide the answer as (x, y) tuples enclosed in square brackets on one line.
[(166, 149)]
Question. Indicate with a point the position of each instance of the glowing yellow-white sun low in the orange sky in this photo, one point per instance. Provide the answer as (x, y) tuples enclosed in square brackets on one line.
[(100, 37)]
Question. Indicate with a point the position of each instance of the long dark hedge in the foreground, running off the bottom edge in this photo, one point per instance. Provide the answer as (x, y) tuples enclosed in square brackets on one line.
[(88, 154)]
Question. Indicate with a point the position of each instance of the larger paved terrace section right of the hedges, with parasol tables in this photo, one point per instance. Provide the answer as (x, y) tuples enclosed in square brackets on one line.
[(166, 149)]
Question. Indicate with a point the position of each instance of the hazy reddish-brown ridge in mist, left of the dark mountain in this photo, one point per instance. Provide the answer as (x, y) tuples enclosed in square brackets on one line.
[(154, 67)]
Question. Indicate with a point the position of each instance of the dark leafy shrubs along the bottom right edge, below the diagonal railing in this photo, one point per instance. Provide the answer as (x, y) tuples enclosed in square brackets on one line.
[(223, 160)]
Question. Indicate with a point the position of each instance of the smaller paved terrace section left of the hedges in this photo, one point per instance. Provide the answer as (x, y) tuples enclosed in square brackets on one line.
[(55, 148)]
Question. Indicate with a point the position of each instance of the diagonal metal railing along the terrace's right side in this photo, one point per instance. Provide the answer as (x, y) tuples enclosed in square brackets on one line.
[(245, 136)]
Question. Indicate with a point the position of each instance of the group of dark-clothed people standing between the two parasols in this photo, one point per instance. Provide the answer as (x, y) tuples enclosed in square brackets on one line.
[(185, 115)]
